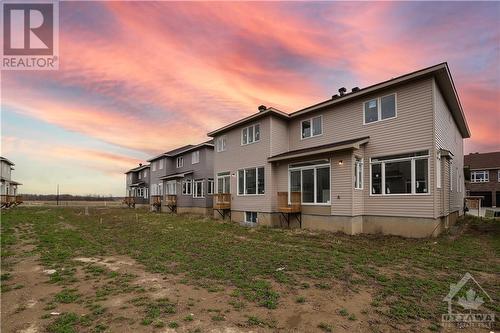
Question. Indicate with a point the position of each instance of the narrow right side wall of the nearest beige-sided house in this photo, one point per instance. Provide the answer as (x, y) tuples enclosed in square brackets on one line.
[(447, 136)]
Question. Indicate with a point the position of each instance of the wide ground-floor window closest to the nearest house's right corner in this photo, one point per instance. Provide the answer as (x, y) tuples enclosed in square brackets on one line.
[(400, 174)]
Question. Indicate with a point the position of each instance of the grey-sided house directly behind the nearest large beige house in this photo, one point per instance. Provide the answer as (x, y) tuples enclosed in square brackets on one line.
[(182, 179)]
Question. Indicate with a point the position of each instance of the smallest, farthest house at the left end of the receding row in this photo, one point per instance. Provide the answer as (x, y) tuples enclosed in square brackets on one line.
[(137, 188)]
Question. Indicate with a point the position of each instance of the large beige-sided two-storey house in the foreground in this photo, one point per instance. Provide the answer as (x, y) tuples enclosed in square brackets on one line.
[(384, 159)]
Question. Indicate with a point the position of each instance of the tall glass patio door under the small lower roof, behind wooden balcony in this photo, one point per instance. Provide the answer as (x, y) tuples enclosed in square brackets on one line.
[(312, 179)]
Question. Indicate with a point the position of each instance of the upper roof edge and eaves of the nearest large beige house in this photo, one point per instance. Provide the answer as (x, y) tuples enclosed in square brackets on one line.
[(440, 72)]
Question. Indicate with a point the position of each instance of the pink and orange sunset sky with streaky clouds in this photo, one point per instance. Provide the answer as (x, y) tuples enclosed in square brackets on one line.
[(137, 79)]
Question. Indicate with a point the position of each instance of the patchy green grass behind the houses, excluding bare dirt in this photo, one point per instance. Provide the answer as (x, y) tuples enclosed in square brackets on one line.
[(410, 277)]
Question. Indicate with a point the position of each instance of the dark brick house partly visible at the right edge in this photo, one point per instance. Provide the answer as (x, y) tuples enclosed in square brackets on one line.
[(484, 177)]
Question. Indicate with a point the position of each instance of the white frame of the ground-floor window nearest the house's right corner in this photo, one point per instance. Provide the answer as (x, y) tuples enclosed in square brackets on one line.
[(413, 175)]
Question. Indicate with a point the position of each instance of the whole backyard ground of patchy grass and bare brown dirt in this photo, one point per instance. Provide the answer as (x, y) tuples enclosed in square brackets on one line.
[(121, 270)]
